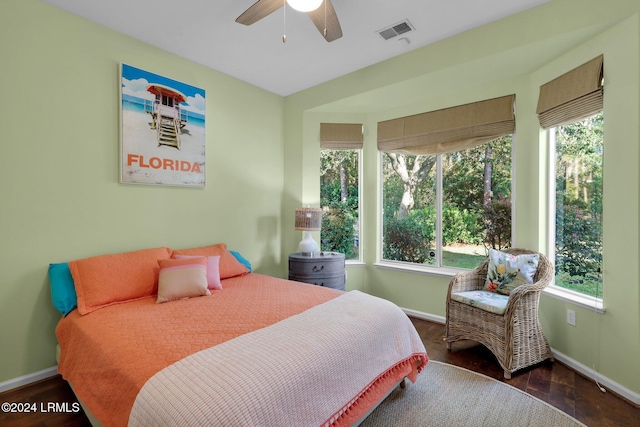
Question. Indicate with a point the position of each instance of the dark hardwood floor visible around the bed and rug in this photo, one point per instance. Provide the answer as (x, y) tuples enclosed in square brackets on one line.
[(553, 383)]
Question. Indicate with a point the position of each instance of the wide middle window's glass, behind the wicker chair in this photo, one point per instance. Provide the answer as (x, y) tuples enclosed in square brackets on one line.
[(445, 210)]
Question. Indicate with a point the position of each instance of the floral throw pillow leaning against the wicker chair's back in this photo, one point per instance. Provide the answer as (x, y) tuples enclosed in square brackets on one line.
[(506, 271)]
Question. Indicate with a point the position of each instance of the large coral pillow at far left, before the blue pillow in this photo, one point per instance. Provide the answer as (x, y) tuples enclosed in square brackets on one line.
[(105, 280)]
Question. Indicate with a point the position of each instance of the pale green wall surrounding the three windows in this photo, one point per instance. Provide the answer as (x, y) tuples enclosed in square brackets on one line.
[(514, 55)]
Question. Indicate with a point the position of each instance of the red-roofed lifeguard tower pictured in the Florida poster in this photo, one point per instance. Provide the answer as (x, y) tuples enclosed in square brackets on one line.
[(167, 117)]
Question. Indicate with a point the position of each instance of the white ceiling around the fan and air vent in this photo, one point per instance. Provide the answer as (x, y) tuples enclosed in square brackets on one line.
[(205, 31)]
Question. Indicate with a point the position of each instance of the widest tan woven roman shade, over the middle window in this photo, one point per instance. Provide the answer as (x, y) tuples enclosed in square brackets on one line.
[(448, 130)]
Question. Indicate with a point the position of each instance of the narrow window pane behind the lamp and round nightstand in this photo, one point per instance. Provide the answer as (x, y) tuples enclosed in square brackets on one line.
[(340, 202)]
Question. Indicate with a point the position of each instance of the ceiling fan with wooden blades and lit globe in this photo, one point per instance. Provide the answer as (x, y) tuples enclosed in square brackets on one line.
[(323, 16)]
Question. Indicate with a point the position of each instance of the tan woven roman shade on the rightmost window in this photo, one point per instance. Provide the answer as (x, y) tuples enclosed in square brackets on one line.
[(572, 96)]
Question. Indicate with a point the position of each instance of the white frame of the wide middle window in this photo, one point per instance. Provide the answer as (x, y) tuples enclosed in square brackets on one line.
[(437, 270)]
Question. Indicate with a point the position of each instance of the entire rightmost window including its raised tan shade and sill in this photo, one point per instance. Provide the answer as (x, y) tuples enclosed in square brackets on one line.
[(571, 108)]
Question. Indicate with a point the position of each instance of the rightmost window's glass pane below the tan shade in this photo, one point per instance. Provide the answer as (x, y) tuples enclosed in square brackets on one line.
[(576, 226)]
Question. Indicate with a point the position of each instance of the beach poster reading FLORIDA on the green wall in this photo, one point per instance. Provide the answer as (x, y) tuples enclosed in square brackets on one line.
[(162, 135)]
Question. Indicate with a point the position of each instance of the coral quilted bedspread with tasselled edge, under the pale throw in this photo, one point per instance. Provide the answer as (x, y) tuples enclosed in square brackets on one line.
[(110, 354)]
